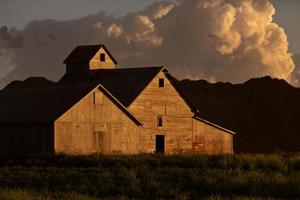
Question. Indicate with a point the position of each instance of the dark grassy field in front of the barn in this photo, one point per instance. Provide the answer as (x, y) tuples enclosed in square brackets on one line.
[(152, 177)]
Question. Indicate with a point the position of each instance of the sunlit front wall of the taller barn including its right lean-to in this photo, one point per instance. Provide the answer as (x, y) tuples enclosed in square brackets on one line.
[(180, 129)]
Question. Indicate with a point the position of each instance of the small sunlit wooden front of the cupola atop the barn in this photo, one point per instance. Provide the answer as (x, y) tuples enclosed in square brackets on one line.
[(95, 62)]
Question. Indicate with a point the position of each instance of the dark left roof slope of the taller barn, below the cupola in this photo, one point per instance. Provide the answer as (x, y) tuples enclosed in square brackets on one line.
[(123, 83)]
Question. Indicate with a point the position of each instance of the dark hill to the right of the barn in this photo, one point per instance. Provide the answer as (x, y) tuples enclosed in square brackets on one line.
[(264, 112)]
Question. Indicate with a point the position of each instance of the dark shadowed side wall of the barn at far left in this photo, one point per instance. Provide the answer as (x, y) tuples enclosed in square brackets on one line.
[(26, 139)]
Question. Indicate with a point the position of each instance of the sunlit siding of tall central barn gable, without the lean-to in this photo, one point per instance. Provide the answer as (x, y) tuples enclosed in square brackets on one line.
[(177, 124)]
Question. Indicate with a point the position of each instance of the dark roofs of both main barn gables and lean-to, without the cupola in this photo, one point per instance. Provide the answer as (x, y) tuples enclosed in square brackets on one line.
[(121, 85)]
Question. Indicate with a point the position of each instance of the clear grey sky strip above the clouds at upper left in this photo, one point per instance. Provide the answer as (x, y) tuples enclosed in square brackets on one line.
[(25, 11)]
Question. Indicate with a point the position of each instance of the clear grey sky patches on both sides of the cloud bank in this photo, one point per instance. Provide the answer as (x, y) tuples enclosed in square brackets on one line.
[(17, 13)]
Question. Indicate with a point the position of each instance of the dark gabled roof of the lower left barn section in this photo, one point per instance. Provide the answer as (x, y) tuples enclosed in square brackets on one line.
[(40, 105)]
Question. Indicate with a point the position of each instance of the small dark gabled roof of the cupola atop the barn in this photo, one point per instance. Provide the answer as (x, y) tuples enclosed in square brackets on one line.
[(84, 53)]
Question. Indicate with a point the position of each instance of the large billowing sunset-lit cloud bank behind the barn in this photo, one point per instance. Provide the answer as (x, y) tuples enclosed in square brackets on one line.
[(219, 40)]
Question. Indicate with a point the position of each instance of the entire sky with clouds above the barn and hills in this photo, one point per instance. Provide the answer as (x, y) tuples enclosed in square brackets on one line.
[(133, 24)]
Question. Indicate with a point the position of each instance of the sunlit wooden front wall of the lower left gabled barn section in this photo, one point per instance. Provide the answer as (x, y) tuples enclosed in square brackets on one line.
[(95, 124)]
